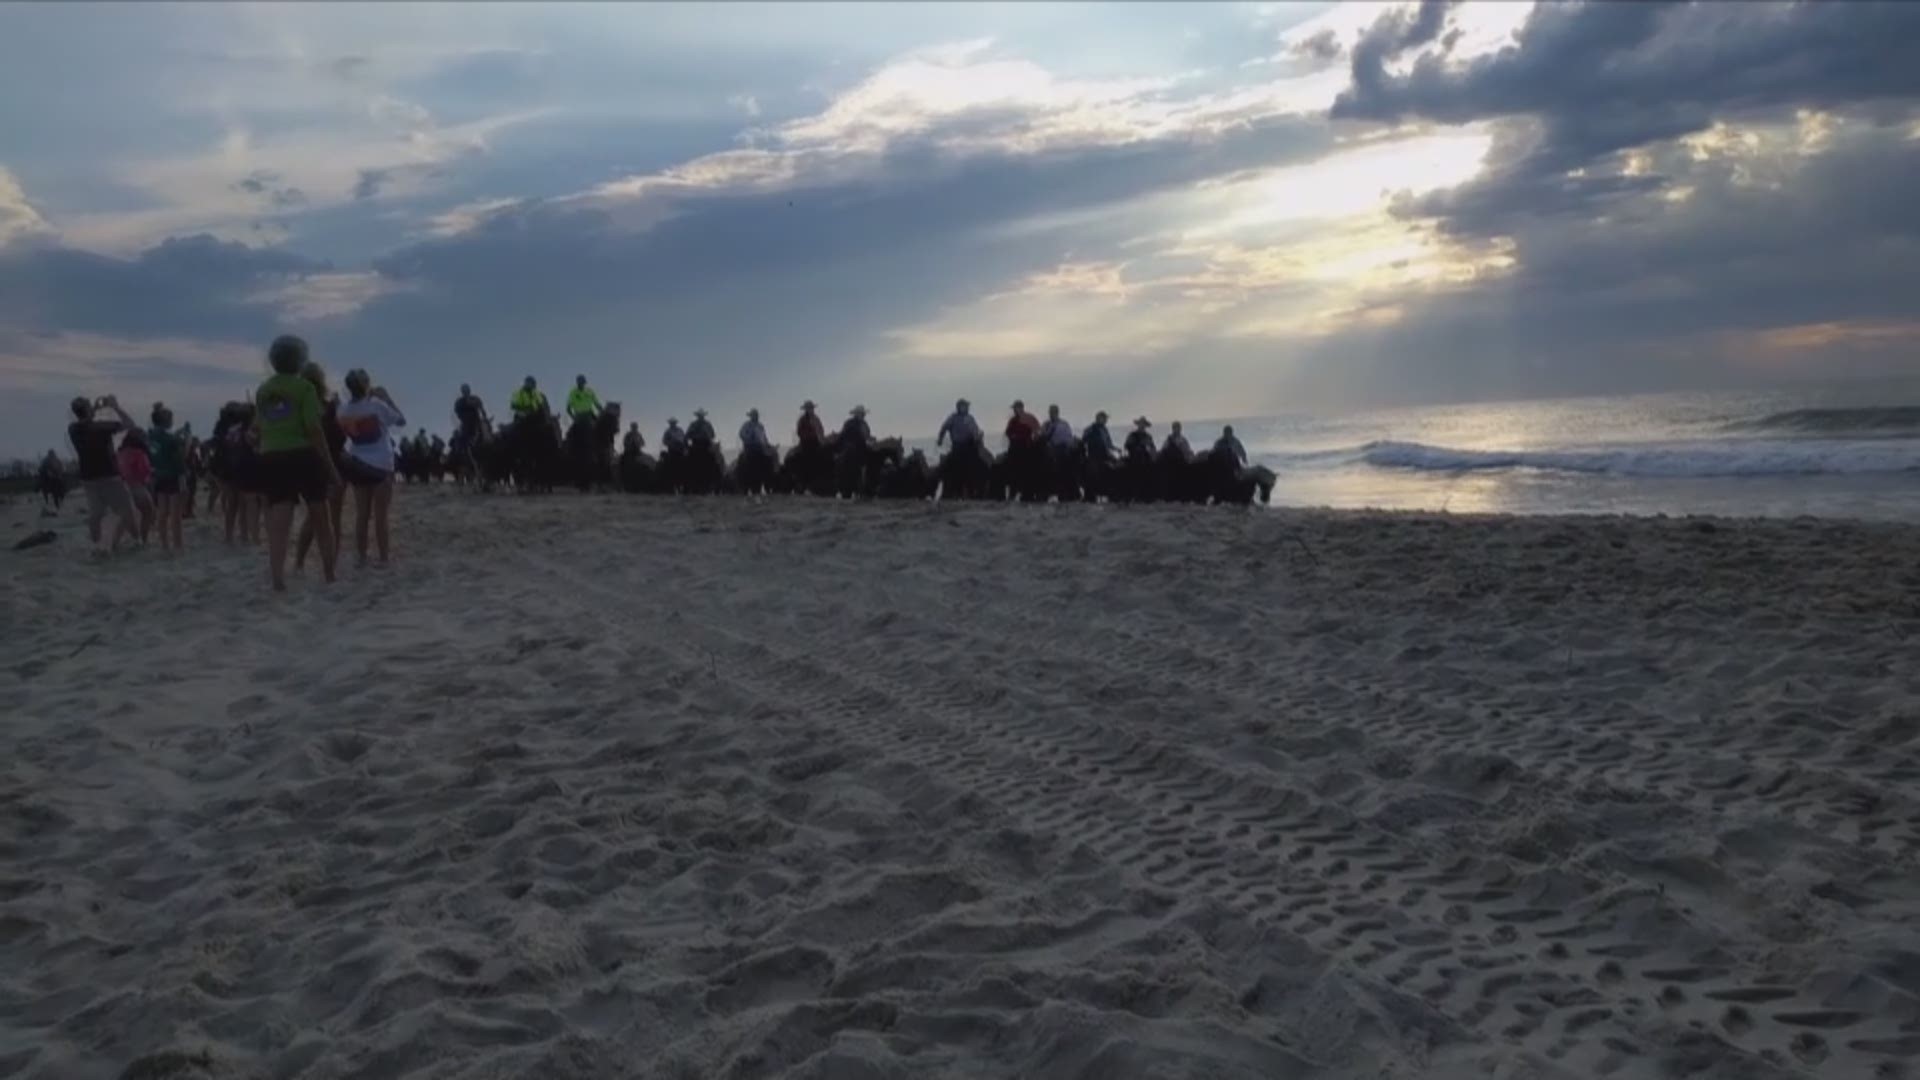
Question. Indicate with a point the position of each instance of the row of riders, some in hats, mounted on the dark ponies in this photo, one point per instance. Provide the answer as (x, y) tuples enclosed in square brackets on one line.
[(961, 431)]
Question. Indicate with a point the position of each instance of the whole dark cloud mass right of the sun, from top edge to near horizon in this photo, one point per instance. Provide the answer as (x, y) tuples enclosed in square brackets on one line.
[(1637, 262)]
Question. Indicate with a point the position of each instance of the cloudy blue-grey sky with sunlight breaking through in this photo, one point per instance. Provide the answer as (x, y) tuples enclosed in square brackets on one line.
[(1145, 209)]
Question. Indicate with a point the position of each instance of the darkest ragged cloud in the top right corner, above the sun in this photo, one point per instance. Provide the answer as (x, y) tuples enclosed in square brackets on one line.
[(1587, 82)]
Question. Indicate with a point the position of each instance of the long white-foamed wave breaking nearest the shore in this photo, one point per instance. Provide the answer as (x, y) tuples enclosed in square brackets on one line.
[(1750, 458)]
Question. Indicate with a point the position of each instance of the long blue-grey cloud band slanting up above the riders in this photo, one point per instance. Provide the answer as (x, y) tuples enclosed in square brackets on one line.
[(777, 289)]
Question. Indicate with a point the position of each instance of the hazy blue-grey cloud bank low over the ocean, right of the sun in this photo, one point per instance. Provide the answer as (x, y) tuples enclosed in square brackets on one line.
[(1664, 293)]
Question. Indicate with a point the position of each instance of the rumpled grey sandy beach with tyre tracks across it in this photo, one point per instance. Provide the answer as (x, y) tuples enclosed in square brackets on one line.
[(631, 787)]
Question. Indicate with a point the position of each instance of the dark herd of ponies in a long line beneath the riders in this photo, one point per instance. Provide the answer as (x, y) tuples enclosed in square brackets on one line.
[(537, 456)]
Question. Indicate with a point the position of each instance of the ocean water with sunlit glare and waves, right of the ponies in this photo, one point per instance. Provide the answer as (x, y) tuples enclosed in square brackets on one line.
[(1844, 453)]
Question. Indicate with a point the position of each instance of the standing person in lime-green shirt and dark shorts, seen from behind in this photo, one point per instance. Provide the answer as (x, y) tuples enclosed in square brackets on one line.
[(295, 460)]
